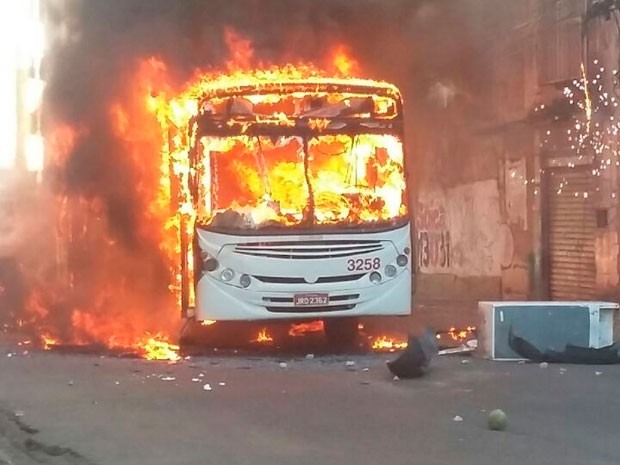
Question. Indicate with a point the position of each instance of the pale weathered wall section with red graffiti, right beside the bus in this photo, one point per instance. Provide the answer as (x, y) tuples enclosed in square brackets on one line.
[(459, 242)]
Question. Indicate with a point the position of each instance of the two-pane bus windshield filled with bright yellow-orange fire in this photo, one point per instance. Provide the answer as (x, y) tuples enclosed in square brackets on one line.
[(248, 183)]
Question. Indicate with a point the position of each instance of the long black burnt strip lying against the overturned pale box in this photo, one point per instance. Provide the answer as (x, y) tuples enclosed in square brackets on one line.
[(607, 355)]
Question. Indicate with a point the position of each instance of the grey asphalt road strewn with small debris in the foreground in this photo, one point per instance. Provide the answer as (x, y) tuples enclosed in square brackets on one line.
[(87, 409)]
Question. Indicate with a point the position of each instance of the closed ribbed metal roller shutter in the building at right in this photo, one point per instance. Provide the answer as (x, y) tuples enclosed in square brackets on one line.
[(571, 229)]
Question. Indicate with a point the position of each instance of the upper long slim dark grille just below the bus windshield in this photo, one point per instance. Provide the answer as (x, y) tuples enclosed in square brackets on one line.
[(303, 250)]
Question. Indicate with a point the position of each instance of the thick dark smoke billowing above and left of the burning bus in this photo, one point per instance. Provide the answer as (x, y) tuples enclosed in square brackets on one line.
[(113, 261)]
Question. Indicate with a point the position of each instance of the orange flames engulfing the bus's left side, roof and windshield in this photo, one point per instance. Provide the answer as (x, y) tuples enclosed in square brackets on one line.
[(152, 122)]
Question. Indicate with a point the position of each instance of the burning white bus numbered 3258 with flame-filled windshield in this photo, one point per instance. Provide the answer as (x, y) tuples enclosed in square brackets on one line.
[(300, 197)]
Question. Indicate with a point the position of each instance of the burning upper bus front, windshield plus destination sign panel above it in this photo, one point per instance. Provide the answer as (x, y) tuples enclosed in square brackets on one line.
[(255, 170)]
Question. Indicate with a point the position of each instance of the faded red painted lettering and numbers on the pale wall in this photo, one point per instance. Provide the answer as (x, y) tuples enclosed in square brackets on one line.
[(433, 245)]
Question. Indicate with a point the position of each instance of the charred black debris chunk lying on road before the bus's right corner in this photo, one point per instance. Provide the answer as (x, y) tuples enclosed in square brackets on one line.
[(414, 361)]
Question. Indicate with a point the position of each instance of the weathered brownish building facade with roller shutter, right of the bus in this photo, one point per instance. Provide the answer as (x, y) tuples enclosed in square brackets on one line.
[(517, 193)]
